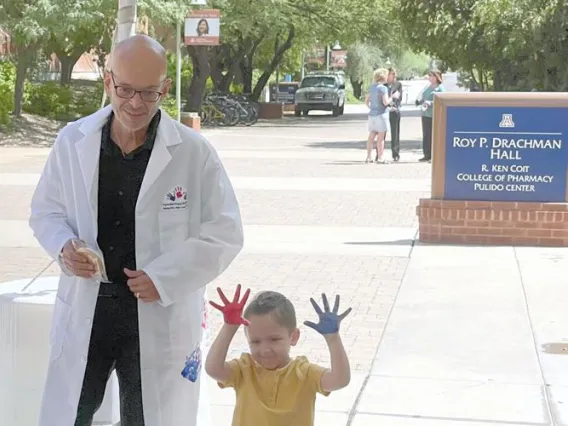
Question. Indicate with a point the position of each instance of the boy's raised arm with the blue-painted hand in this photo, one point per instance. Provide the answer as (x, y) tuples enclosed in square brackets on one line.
[(339, 375)]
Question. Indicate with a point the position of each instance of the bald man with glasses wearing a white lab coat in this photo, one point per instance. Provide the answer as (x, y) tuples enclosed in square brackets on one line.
[(140, 214)]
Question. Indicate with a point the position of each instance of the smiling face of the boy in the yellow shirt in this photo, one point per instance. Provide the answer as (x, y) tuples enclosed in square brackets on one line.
[(270, 342)]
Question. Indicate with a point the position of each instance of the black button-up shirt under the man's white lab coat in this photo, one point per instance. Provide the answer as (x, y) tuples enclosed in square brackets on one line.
[(120, 179)]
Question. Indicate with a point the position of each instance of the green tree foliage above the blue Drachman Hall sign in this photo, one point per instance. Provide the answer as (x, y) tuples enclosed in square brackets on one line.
[(502, 44)]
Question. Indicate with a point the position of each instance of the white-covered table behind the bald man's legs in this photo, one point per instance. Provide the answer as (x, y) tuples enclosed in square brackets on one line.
[(25, 320)]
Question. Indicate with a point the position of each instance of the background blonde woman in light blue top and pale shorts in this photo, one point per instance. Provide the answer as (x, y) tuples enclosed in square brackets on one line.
[(378, 124)]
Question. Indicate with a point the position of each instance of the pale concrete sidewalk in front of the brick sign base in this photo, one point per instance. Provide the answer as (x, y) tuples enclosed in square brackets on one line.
[(477, 336)]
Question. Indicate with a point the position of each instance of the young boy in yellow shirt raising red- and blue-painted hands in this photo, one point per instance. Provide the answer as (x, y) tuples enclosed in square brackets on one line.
[(271, 388)]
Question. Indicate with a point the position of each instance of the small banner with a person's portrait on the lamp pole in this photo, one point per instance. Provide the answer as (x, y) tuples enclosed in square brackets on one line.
[(202, 27)]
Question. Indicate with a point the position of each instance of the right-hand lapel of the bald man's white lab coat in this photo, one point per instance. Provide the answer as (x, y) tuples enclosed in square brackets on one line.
[(167, 136)]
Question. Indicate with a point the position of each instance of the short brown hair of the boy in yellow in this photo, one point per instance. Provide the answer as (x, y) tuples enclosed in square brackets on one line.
[(272, 302)]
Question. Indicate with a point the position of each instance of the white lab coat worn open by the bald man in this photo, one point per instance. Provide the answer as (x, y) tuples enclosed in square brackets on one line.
[(182, 245)]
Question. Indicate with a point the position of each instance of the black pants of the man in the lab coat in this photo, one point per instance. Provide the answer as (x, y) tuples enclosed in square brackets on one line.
[(114, 345)]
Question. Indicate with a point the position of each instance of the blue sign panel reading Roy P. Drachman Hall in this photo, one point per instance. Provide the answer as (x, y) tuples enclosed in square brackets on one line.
[(506, 154)]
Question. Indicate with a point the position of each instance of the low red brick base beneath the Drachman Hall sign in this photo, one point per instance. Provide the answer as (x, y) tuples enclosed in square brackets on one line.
[(493, 223)]
